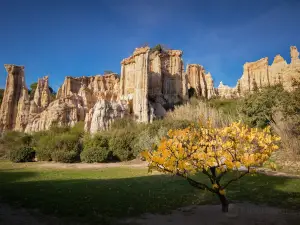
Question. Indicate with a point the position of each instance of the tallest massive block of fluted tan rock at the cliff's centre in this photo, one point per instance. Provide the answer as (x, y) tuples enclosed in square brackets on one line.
[(152, 78)]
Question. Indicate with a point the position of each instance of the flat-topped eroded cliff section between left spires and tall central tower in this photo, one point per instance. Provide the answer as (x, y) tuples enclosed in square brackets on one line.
[(74, 101)]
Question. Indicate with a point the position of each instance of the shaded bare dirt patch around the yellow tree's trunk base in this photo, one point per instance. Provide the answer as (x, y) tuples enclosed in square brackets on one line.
[(239, 214)]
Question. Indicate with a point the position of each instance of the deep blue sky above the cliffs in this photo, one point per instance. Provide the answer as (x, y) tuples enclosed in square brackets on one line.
[(60, 37)]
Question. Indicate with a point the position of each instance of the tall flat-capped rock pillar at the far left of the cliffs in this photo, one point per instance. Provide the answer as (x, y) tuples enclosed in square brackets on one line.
[(14, 109)]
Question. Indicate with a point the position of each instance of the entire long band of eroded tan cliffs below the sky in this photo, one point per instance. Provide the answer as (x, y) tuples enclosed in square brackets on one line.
[(151, 82)]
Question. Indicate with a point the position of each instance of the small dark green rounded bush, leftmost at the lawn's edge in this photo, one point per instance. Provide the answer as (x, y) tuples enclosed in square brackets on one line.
[(23, 154)]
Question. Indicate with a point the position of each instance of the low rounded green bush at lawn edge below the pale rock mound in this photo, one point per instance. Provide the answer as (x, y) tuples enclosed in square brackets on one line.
[(95, 154)]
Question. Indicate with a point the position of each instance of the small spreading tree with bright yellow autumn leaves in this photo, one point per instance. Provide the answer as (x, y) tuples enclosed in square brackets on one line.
[(213, 152)]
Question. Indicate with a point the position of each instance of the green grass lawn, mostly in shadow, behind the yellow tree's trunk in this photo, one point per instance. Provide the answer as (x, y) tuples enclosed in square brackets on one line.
[(96, 195)]
